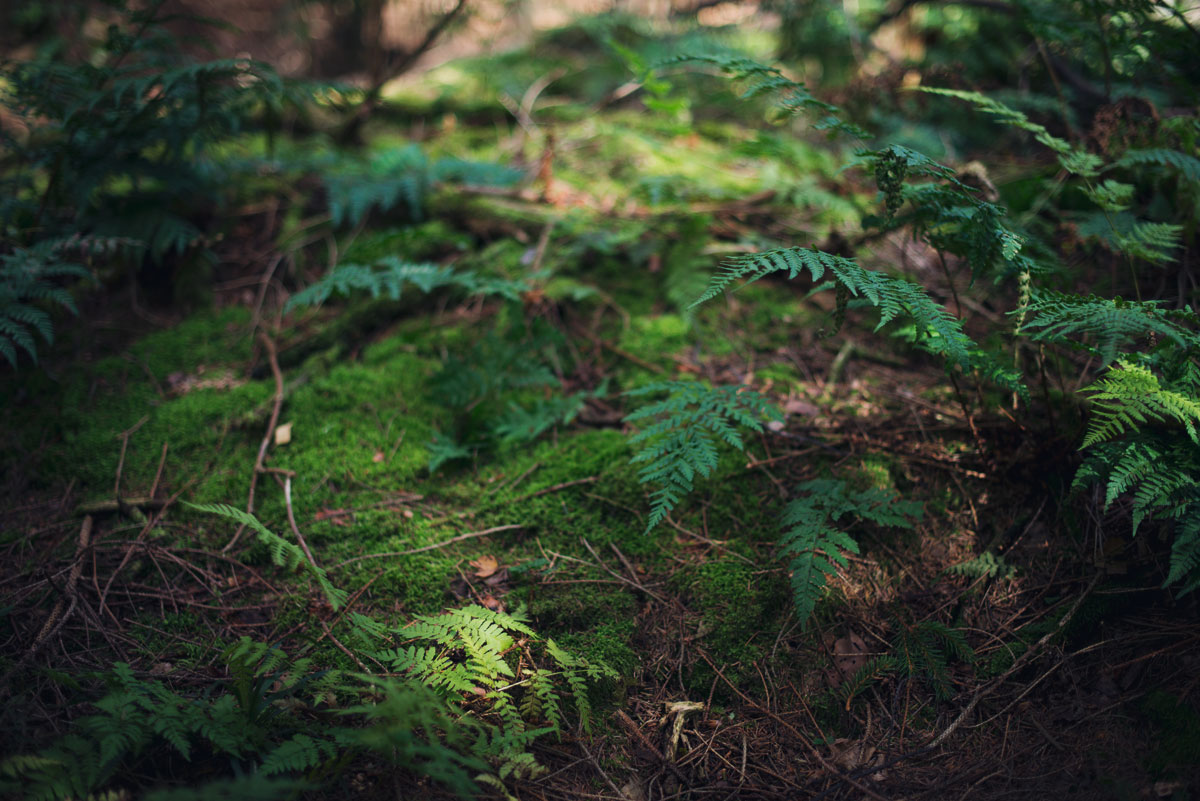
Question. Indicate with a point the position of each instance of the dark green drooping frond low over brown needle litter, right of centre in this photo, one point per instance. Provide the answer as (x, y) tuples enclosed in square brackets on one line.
[(814, 545)]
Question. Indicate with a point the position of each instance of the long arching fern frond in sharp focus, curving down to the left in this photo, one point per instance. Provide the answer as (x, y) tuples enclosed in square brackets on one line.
[(896, 298)]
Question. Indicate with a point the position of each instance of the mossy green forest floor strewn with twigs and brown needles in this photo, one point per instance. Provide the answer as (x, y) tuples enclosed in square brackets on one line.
[(1078, 658)]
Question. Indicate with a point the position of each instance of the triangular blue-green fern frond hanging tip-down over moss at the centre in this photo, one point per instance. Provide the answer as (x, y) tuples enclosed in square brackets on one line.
[(682, 441)]
